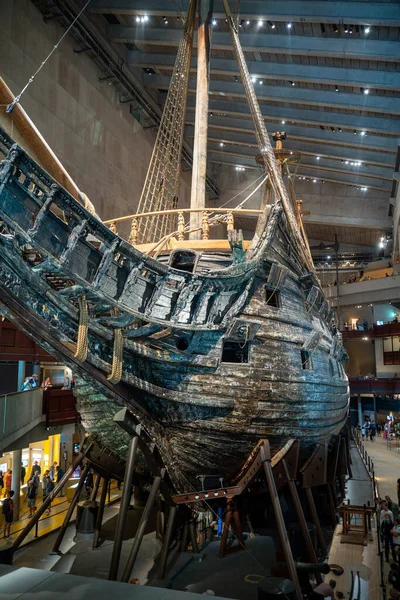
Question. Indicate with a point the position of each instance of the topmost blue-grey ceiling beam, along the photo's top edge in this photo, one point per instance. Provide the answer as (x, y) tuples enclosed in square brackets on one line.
[(355, 13)]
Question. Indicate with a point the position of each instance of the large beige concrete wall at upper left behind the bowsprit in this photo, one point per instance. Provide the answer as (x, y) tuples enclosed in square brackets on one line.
[(100, 143)]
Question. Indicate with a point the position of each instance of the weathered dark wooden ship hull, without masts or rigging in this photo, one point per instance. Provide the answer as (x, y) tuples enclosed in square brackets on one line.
[(205, 415)]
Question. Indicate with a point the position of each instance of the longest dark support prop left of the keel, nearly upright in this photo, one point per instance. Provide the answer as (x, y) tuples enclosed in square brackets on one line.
[(125, 499)]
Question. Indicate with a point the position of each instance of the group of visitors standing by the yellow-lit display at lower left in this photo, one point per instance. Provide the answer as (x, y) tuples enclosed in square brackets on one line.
[(50, 477)]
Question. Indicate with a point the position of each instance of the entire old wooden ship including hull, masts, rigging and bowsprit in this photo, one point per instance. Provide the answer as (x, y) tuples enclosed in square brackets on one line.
[(209, 357)]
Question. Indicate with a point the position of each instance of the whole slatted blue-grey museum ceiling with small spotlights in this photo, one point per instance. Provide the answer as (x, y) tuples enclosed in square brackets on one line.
[(327, 73)]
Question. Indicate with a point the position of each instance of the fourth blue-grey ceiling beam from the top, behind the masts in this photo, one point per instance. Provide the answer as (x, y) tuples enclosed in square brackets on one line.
[(293, 95)]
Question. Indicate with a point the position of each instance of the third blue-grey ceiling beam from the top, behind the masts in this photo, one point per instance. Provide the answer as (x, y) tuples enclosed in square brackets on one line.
[(367, 78)]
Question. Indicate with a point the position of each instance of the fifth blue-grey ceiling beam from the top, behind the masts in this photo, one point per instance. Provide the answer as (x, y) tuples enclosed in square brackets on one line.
[(300, 116)]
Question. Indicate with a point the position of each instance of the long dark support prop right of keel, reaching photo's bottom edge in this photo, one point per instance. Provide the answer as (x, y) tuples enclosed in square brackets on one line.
[(266, 459)]
